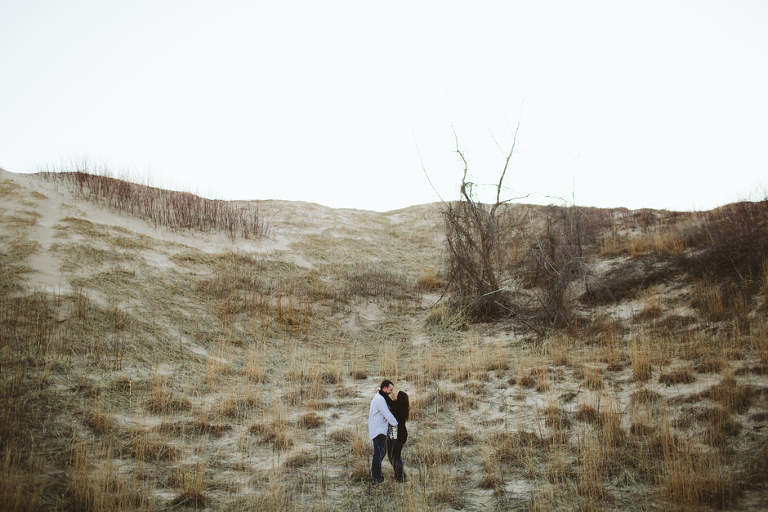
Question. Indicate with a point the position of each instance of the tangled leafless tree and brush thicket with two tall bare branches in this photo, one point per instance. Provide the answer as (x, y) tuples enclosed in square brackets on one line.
[(505, 261)]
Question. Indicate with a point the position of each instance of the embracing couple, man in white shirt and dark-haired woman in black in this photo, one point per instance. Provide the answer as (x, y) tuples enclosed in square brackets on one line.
[(386, 427)]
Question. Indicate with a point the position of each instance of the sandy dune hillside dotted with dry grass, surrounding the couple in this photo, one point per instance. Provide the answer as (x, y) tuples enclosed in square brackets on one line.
[(152, 359)]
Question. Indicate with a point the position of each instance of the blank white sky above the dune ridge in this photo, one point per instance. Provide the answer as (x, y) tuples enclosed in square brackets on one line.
[(660, 104)]
